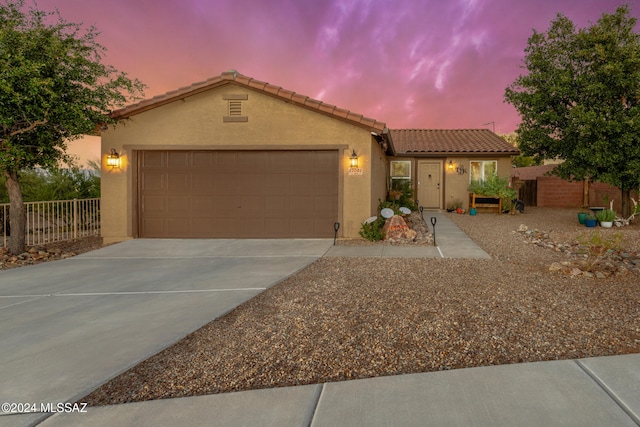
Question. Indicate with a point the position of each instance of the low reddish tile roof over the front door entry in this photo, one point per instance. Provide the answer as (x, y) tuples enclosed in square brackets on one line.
[(449, 141)]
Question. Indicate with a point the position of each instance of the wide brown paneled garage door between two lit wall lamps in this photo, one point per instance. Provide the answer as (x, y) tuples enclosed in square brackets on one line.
[(237, 194)]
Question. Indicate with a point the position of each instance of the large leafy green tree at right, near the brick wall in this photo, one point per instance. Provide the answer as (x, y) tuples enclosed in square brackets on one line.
[(580, 100)]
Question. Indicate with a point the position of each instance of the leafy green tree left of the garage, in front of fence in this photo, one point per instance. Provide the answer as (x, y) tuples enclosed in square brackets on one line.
[(53, 88)]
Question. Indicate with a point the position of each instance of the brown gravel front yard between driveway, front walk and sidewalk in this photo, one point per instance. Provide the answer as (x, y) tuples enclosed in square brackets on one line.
[(345, 318)]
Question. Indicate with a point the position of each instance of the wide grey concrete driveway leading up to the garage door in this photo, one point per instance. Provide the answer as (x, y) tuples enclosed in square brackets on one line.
[(66, 327)]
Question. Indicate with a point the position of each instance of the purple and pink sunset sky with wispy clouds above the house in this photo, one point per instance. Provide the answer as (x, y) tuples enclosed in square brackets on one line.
[(408, 63)]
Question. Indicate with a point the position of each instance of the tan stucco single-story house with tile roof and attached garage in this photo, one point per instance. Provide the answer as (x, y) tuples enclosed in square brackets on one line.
[(234, 157)]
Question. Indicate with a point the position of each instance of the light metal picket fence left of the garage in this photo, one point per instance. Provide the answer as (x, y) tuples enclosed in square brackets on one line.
[(60, 220)]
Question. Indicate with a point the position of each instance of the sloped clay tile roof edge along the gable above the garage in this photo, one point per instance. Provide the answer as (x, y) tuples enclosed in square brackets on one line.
[(233, 77)]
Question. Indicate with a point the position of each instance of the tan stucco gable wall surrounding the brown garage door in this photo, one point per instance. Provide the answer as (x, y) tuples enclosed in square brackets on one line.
[(196, 122)]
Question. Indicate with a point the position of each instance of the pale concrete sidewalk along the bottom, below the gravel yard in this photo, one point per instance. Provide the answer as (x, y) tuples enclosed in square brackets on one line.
[(590, 392)]
